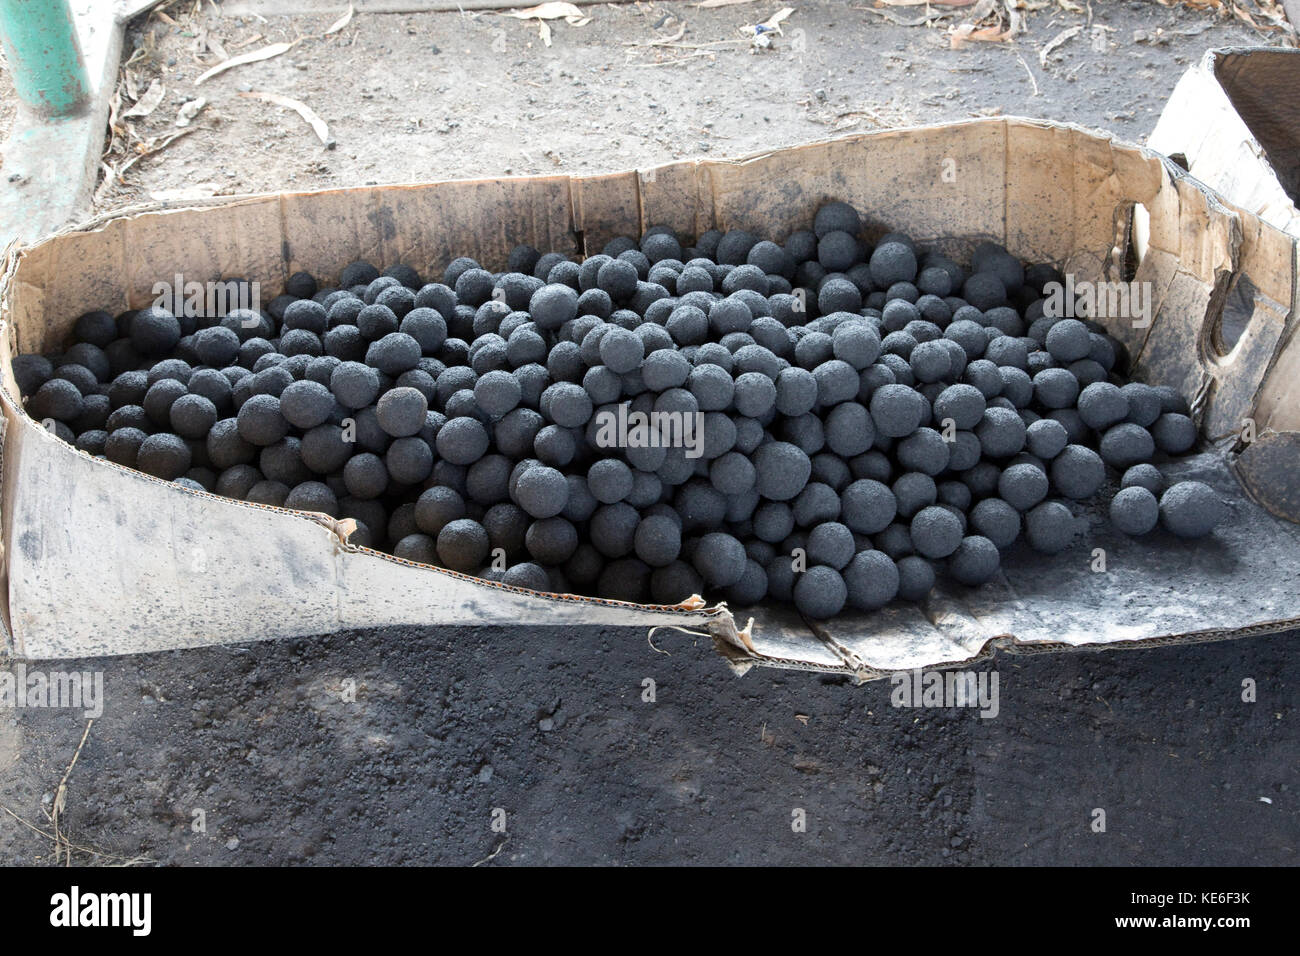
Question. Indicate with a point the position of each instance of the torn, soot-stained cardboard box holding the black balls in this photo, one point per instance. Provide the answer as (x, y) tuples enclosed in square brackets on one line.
[(101, 560)]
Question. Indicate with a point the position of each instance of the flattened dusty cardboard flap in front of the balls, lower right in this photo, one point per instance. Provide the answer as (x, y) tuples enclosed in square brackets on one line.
[(1246, 576)]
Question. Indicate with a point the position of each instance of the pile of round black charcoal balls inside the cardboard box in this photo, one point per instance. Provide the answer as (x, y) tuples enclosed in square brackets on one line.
[(869, 416)]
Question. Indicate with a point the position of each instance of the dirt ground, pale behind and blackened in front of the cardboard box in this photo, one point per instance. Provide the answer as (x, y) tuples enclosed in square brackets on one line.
[(452, 728)]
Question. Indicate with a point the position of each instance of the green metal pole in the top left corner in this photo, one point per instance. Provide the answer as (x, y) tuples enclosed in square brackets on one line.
[(45, 58)]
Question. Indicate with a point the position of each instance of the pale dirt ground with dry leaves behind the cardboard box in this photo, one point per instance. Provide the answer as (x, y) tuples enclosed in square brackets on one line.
[(428, 97)]
